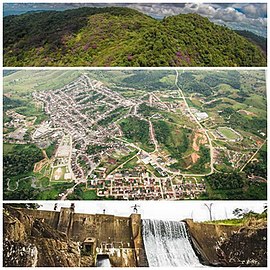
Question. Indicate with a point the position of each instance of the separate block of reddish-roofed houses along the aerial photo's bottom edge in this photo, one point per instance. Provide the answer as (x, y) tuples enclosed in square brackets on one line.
[(144, 187)]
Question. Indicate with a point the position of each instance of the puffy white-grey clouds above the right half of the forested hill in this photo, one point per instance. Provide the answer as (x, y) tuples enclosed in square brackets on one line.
[(250, 17)]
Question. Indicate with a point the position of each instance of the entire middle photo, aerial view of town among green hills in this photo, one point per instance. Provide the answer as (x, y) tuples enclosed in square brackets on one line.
[(134, 134)]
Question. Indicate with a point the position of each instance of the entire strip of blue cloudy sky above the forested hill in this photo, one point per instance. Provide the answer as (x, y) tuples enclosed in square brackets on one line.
[(244, 16)]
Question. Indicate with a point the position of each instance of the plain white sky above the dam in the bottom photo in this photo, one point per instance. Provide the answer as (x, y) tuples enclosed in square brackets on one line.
[(164, 210)]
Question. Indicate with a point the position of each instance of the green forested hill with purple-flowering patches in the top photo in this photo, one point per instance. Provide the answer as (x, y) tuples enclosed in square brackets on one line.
[(122, 37)]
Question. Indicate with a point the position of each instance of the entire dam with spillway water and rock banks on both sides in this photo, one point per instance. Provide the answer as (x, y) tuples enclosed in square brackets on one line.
[(65, 238)]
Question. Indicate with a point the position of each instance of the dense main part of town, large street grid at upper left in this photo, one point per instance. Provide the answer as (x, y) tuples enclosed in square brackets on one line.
[(77, 109)]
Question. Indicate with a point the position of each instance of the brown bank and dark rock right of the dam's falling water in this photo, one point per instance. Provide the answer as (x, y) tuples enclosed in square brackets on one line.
[(226, 245)]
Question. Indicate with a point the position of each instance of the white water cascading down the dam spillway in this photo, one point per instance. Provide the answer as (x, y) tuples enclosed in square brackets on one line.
[(167, 244)]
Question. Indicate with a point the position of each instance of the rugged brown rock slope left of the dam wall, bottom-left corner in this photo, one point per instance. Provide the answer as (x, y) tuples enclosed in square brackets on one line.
[(30, 242)]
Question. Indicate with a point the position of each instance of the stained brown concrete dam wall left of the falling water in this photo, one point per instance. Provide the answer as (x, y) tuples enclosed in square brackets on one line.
[(120, 237)]
